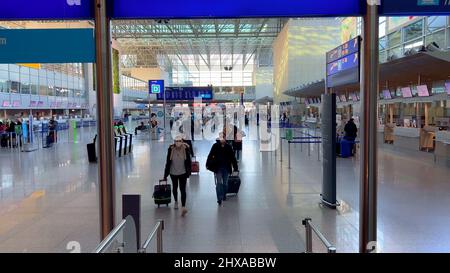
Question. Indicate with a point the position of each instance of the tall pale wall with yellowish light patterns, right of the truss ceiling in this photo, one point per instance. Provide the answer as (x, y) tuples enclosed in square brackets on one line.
[(299, 52)]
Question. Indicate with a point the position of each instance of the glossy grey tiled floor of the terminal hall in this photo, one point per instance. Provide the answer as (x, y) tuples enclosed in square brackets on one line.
[(50, 197)]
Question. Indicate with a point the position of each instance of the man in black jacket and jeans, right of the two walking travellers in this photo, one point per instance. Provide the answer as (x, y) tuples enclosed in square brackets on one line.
[(221, 161)]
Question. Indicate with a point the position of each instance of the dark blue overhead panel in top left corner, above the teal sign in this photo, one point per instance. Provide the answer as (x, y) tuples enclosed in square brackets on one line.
[(46, 9)]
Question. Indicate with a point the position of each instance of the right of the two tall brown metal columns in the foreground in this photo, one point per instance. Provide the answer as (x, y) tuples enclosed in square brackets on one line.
[(369, 168)]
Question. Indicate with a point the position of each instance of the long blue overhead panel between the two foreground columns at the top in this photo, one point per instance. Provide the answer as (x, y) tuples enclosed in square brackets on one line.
[(141, 9)]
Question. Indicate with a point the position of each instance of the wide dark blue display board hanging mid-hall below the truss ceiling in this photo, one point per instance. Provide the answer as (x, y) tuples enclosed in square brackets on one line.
[(186, 93)]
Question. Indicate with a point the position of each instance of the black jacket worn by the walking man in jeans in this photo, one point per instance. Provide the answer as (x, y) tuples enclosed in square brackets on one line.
[(221, 156)]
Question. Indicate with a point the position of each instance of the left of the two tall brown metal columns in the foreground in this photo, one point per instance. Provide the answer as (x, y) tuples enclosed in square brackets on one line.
[(104, 118)]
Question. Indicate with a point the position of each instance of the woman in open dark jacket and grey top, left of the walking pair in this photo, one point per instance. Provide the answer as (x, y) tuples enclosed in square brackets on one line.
[(178, 166)]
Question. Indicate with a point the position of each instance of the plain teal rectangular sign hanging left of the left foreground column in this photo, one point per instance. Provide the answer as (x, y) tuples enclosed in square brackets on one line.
[(47, 46)]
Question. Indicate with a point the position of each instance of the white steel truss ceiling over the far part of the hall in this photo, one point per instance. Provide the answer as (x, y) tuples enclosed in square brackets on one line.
[(167, 43)]
